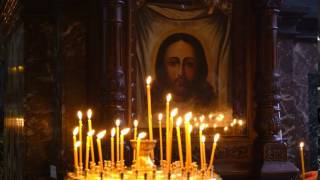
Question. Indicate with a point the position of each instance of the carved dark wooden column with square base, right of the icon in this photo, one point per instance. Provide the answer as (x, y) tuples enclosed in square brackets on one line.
[(270, 154)]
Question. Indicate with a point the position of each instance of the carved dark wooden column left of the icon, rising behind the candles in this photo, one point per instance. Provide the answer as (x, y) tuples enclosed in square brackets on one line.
[(114, 60)]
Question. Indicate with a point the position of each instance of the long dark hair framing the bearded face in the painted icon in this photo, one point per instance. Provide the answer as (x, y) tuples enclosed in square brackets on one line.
[(202, 67)]
